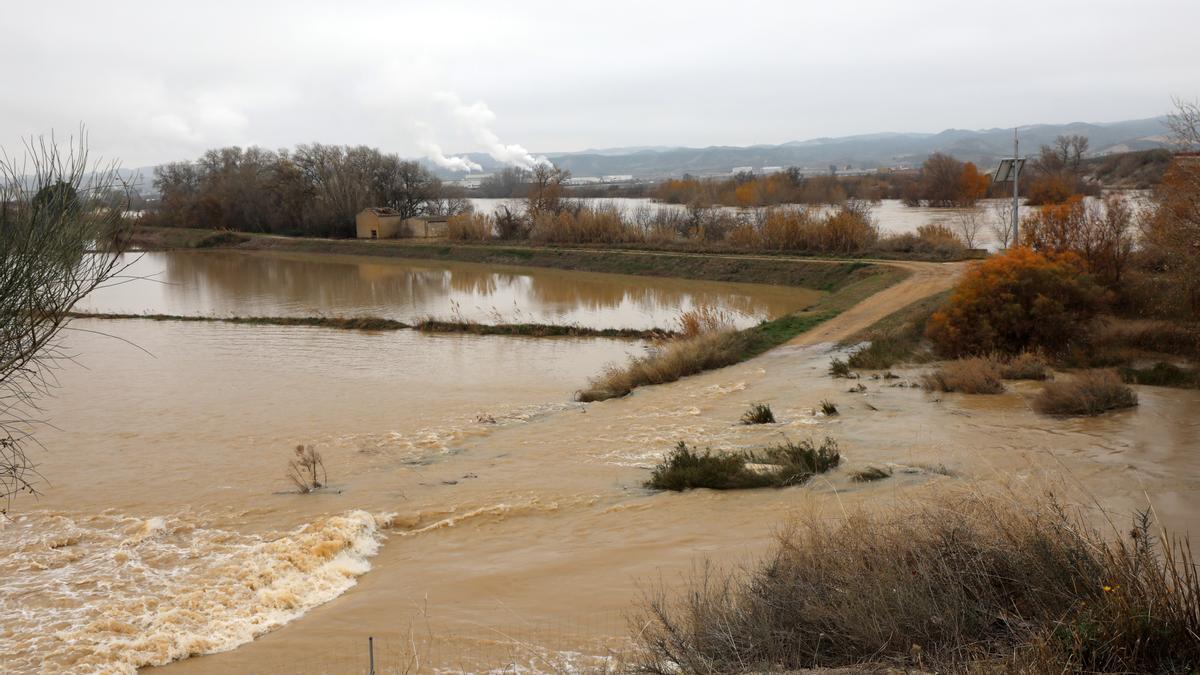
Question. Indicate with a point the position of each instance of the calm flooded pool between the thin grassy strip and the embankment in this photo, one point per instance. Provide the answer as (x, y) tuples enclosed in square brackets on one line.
[(233, 283)]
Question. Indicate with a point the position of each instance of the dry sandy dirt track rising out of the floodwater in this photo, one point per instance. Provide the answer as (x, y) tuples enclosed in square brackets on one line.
[(925, 280)]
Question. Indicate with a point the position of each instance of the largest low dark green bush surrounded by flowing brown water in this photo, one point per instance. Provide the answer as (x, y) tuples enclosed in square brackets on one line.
[(778, 467)]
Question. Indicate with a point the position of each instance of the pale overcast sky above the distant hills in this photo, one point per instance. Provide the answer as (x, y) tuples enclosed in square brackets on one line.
[(165, 80)]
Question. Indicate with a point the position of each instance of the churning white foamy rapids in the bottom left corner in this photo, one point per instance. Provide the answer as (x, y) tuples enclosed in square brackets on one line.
[(106, 594)]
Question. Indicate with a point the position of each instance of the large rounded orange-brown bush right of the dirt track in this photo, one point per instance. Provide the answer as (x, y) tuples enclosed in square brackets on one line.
[(1021, 301)]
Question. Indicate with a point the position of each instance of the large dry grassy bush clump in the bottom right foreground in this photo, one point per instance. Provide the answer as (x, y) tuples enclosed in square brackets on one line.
[(965, 584)]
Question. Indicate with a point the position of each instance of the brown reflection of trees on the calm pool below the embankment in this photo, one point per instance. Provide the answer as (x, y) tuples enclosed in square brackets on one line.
[(238, 283)]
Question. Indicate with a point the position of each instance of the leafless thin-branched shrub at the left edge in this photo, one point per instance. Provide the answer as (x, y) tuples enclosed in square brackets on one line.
[(61, 240)]
